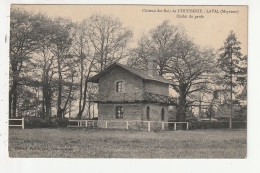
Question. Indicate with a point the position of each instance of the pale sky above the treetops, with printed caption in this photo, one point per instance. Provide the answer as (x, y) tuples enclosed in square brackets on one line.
[(210, 30)]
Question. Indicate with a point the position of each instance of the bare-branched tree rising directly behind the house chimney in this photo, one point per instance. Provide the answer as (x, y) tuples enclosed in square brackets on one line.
[(156, 45)]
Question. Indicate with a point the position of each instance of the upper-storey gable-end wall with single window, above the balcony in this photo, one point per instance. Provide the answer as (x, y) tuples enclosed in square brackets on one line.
[(132, 83)]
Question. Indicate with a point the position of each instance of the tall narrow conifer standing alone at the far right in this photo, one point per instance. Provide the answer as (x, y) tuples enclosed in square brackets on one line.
[(233, 66)]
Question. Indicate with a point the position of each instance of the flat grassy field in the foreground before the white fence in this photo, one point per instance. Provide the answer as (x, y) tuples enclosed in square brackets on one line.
[(98, 143)]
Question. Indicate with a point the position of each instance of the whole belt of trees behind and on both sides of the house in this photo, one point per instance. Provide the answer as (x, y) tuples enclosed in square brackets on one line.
[(52, 59)]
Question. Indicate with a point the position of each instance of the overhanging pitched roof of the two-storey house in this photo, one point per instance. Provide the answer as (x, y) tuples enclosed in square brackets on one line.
[(141, 73)]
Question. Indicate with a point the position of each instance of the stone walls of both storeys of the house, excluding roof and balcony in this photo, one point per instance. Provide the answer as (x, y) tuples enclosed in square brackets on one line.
[(131, 111)]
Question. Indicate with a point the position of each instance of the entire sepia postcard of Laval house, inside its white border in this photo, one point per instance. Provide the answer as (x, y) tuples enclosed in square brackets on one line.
[(128, 81)]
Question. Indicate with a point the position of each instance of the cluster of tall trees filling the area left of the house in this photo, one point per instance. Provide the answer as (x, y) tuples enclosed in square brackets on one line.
[(52, 59)]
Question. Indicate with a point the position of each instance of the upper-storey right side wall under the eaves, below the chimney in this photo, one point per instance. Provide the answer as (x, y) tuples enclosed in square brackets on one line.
[(156, 87)]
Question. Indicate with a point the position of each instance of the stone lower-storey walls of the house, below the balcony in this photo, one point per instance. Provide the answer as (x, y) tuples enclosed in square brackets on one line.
[(131, 112)]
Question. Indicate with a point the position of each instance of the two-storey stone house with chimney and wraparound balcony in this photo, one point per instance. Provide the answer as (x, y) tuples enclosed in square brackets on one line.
[(129, 94)]
